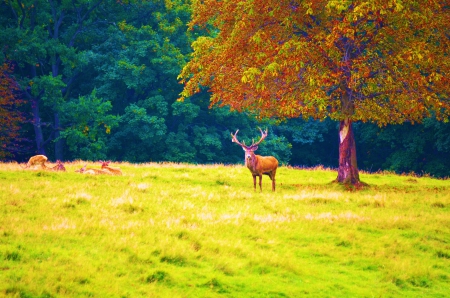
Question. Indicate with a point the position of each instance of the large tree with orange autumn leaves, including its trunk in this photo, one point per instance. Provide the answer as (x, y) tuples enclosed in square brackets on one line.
[(379, 61)]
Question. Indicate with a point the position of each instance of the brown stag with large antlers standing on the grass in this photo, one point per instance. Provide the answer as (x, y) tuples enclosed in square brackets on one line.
[(257, 164)]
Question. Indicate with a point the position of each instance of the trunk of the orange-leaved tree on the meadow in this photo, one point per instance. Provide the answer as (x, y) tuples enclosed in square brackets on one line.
[(348, 168)]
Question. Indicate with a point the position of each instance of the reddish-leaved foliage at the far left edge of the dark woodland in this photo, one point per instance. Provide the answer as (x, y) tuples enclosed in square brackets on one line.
[(10, 116)]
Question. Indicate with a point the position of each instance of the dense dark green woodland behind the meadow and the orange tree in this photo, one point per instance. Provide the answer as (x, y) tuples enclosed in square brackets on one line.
[(98, 80)]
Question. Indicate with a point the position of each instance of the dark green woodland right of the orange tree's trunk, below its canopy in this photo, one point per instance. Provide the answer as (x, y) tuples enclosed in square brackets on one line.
[(423, 149)]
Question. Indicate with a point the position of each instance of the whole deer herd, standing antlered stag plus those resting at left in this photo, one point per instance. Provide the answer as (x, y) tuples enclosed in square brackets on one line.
[(257, 164)]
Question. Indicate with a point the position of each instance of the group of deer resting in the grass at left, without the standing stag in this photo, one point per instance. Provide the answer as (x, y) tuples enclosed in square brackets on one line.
[(40, 160)]
